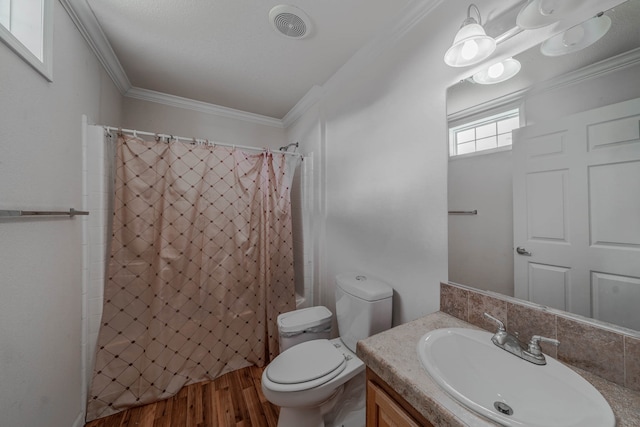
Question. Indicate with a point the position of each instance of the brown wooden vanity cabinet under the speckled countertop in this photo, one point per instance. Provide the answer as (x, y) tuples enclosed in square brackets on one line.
[(386, 408)]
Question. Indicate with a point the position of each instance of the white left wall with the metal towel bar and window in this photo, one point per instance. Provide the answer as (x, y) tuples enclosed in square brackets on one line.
[(41, 259)]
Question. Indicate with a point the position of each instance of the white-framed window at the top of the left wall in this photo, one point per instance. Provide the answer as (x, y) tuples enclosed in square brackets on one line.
[(26, 27)]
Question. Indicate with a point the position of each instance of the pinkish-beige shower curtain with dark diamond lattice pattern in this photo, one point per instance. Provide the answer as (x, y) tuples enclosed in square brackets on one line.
[(201, 265)]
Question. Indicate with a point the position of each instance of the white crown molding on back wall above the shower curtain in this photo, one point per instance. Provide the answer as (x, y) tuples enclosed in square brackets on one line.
[(202, 107)]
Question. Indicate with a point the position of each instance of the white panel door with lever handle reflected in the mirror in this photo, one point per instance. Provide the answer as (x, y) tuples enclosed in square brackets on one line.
[(577, 213)]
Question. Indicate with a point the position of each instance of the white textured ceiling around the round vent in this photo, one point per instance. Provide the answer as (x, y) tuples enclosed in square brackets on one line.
[(225, 52)]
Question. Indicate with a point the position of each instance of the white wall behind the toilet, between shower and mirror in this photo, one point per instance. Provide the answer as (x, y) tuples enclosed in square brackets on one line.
[(381, 133)]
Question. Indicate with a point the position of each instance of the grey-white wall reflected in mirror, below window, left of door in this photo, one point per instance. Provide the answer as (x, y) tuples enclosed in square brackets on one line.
[(480, 246)]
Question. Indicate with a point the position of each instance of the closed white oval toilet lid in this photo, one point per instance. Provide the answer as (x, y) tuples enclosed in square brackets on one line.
[(306, 362)]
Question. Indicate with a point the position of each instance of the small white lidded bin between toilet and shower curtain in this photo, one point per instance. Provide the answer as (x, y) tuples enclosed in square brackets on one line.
[(306, 324)]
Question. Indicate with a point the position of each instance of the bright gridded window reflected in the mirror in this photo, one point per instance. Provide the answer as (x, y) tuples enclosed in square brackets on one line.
[(489, 133)]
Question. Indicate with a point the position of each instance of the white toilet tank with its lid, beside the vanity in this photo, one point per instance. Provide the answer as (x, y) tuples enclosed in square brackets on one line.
[(363, 307)]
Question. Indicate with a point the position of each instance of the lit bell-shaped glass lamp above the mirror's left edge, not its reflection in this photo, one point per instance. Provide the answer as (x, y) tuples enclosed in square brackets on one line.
[(471, 44)]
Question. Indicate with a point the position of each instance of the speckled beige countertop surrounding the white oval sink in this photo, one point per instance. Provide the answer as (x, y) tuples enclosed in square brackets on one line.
[(392, 355)]
